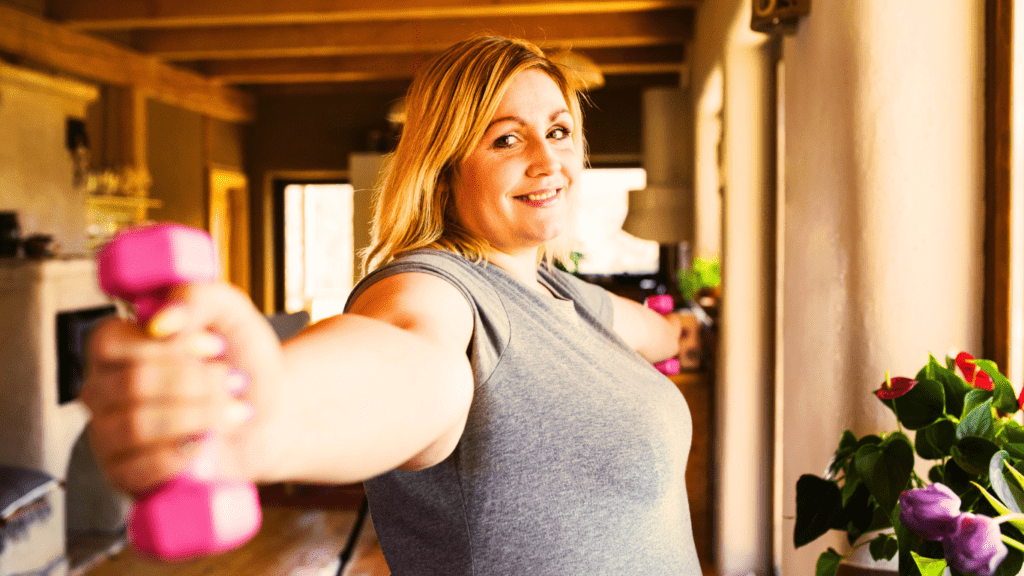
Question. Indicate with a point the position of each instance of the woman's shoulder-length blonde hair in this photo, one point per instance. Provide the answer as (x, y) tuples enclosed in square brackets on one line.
[(449, 106)]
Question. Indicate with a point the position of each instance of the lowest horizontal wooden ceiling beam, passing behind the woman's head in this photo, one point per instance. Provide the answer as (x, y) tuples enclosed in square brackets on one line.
[(663, 60)]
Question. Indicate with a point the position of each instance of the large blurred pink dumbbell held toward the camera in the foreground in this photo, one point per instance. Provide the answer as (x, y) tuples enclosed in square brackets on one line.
[(196, 514)]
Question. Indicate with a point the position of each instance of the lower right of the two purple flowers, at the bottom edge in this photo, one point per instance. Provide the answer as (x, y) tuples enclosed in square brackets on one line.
[(975, 547)]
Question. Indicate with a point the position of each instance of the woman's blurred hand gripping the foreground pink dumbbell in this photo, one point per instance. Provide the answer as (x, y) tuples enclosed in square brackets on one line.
[(204, 367)]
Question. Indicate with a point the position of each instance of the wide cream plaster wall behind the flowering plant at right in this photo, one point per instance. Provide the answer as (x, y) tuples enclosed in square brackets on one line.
[(884, 211)]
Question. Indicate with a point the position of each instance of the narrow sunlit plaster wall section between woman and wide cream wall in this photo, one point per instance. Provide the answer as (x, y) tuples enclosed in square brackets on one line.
[(734, 129)]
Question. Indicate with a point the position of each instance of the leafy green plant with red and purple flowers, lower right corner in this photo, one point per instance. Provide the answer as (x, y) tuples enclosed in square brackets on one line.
[(963, 517)]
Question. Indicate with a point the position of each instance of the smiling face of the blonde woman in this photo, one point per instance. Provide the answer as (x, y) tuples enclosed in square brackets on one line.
[(514, 189)]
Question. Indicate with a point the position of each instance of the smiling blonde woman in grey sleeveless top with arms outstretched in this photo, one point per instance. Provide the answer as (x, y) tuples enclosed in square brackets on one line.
[(504, 416)]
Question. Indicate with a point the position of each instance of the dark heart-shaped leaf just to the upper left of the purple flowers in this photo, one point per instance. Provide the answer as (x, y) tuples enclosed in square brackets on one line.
[(886, 469)]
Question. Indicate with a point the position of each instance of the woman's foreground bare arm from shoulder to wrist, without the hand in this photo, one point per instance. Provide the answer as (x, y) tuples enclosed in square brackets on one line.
[(387, 386)]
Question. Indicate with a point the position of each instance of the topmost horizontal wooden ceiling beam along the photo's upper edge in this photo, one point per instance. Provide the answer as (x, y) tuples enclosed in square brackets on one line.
[(118, 15)]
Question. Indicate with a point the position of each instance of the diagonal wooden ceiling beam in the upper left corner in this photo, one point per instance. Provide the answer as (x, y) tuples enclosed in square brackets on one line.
[(50, 46)]
